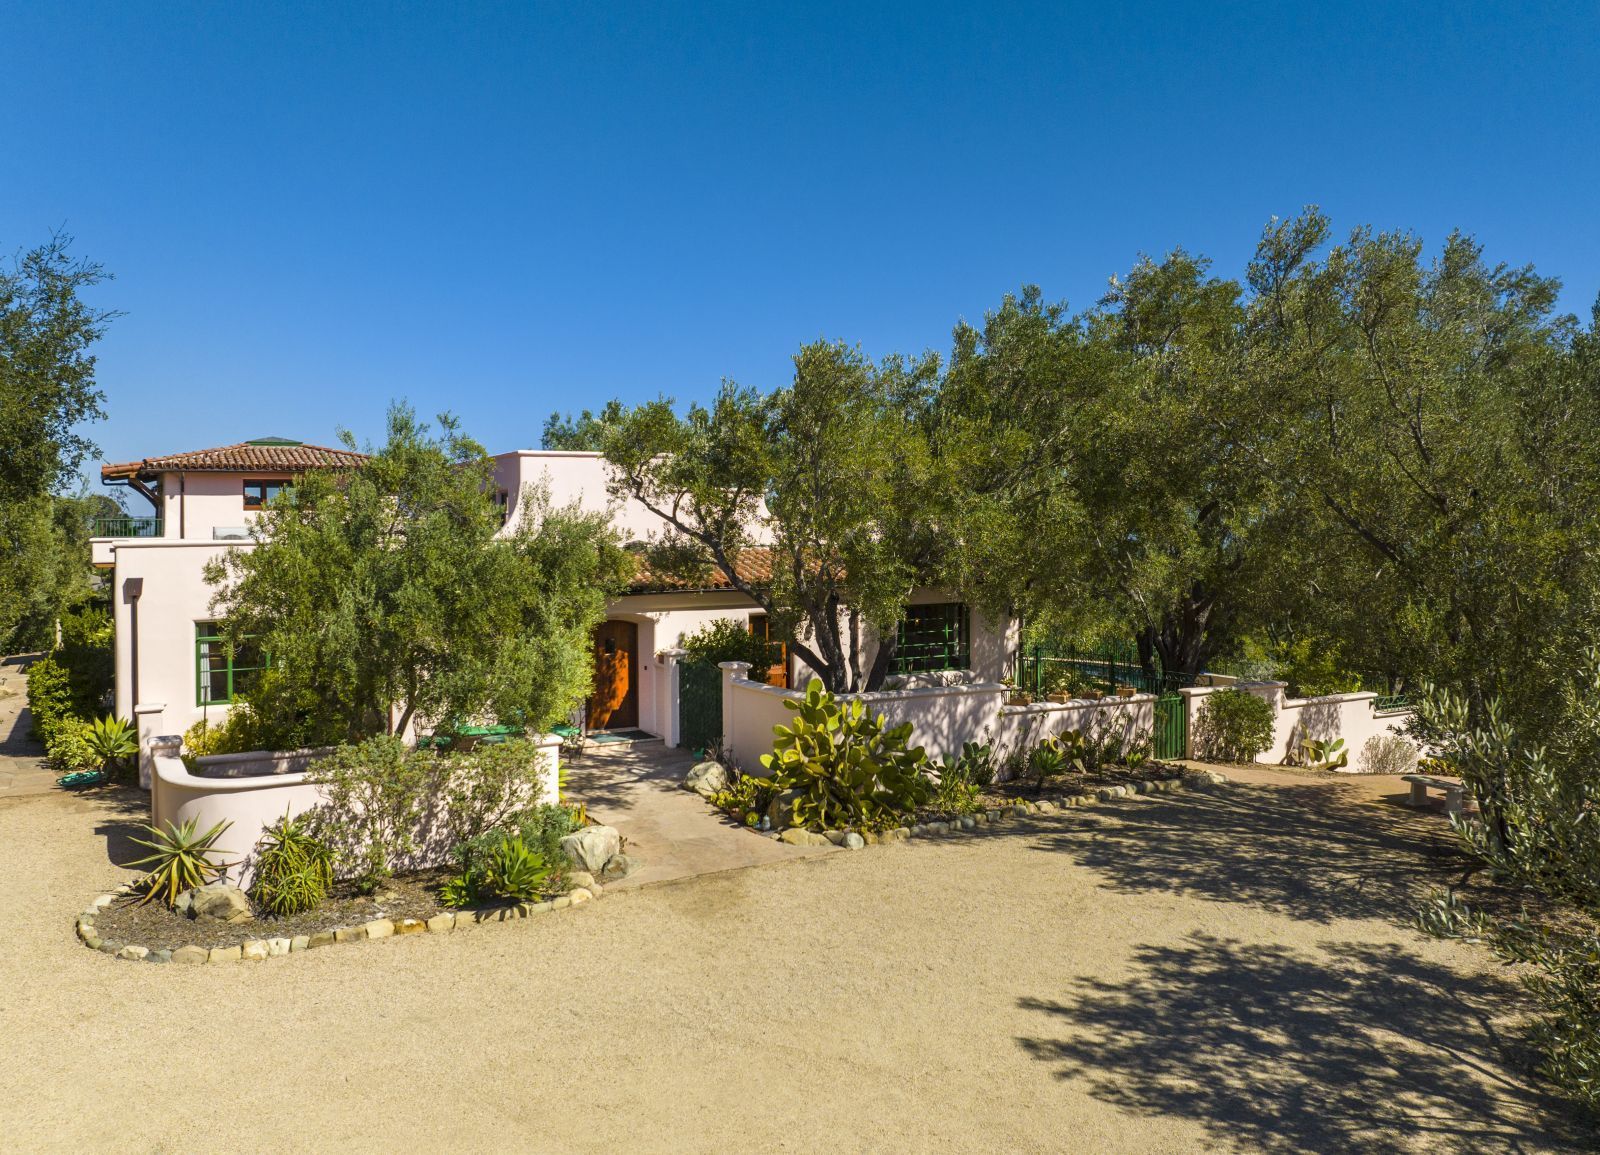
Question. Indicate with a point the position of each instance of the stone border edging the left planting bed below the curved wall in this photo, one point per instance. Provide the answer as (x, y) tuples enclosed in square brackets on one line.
[(447, 922)]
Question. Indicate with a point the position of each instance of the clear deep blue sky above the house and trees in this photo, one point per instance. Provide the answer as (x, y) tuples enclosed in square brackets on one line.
[(503, 210)]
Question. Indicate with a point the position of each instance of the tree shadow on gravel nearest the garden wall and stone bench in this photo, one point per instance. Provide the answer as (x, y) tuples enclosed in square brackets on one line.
[(1310, 852)]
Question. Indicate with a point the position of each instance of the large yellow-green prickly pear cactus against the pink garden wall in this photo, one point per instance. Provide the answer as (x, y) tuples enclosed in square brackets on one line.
[(844, 765)]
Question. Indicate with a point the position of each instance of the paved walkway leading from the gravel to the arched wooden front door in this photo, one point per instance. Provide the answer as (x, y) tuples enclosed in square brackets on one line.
[(639, 789)]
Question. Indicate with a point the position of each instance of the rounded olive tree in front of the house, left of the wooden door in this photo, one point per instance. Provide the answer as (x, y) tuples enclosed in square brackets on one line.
[(393, 594)]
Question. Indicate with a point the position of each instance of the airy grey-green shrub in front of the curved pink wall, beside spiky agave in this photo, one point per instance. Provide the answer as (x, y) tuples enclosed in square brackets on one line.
[(375, 797)]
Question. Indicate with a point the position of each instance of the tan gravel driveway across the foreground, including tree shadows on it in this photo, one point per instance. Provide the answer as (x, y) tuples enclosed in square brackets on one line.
[(1222, 972)]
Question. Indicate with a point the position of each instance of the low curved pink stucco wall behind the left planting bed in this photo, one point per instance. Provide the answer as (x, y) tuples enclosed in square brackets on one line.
[(254, 791)]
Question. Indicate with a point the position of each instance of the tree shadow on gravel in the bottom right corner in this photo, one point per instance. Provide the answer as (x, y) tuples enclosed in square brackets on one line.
[(1366, 1049)]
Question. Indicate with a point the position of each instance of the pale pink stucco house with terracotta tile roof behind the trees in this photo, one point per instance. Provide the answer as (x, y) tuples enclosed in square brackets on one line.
[(172, 669)]
